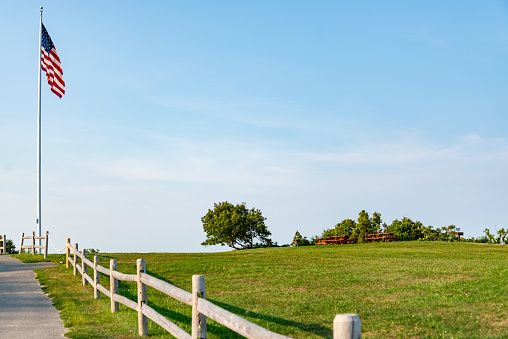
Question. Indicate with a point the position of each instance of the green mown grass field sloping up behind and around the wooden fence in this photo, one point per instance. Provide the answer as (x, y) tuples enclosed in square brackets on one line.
[(399, 290)]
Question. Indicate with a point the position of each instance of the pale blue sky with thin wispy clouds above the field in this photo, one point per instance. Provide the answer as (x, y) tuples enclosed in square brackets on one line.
[(309, 111)]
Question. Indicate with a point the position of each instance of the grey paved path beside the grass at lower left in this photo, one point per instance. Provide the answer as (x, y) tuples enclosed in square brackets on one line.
[(25, 312)]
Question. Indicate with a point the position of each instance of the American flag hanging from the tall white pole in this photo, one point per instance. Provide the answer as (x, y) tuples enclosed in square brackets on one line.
[(50, 63)]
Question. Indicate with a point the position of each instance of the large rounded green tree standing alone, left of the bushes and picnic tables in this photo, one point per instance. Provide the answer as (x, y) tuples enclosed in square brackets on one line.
[(235, 226)]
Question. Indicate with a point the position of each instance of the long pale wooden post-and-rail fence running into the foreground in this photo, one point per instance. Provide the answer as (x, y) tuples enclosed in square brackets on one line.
[(345, 325)]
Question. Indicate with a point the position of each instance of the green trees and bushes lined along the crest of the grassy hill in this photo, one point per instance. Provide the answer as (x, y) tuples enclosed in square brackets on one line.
[(238, 227)]
